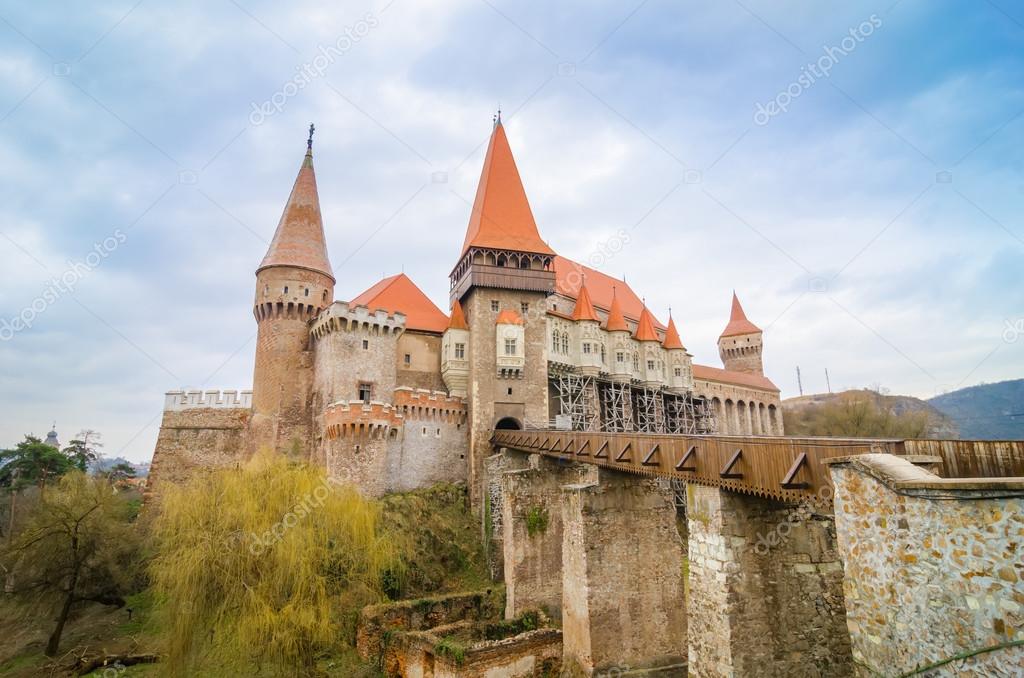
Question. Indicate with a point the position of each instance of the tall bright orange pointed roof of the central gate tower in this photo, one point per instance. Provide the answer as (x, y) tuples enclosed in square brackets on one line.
[(501, 218)]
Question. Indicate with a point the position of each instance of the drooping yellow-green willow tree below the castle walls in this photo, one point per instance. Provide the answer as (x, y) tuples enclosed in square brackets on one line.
[(261, 568)]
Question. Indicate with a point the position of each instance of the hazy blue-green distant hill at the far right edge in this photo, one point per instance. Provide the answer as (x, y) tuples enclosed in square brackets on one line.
[(987, 412)]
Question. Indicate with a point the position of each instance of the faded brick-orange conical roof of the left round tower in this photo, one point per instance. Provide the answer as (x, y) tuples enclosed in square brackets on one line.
[(300, 239)]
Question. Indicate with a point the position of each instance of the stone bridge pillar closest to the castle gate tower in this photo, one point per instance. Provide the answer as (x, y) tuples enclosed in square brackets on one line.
[(532, 528)]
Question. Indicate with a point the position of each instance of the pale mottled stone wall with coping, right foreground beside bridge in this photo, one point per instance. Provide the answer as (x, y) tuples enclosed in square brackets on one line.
[(933, 568)]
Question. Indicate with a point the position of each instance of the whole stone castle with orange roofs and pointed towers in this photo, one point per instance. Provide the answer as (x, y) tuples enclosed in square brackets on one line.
[(390, 393)]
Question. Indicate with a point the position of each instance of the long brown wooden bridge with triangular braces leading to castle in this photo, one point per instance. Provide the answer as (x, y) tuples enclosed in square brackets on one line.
[(783, 469)]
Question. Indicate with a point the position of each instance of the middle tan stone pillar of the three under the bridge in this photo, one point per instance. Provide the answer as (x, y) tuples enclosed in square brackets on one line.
[(623, 598)]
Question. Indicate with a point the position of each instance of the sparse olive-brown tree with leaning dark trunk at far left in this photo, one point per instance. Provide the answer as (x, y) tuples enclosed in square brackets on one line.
[(78, 546)]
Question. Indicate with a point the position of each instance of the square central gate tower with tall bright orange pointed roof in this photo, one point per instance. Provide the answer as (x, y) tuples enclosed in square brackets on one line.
[(502, 280)]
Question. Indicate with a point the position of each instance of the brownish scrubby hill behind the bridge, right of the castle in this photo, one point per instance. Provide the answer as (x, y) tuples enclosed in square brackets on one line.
[(883, 416)]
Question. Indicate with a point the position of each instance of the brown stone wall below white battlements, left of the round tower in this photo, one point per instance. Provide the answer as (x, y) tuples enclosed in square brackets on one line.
[(195, 442)]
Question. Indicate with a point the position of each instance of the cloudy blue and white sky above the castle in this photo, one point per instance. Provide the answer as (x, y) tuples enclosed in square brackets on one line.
[(854, 171)]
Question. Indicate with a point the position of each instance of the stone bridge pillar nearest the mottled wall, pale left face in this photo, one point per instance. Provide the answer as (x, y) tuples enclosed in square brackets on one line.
[(767, 588)]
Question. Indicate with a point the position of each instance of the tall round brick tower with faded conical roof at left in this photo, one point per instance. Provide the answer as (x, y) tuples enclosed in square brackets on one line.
[(293, 284)]
